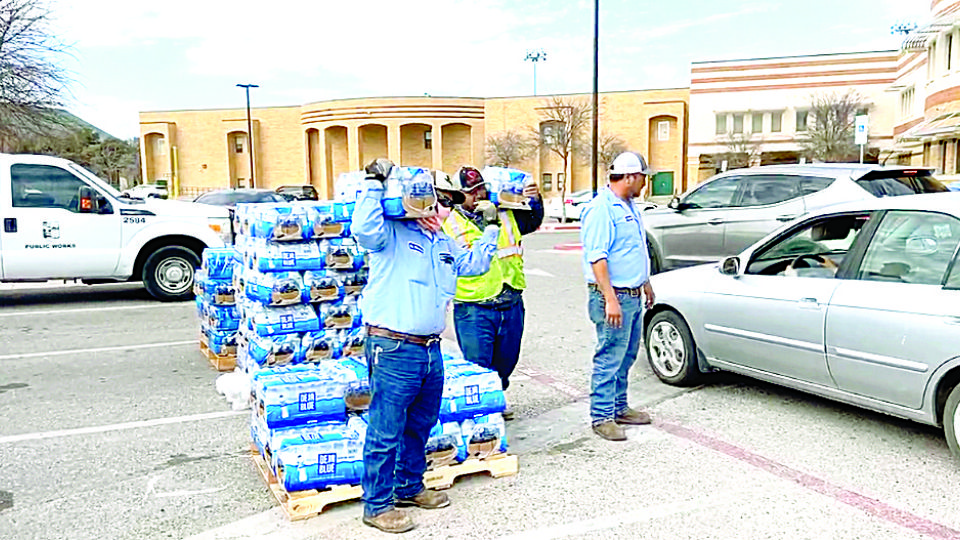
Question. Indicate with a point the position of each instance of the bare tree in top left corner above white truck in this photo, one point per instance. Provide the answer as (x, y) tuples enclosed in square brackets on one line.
[(32, 82)]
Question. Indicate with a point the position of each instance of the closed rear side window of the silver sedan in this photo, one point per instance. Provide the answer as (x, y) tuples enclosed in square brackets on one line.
[(911, 247)]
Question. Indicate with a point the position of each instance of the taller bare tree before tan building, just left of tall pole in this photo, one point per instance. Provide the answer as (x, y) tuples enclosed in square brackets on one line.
[(562, 121)]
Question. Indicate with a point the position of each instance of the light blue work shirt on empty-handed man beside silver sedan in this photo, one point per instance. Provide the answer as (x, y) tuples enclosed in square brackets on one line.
[(611, 229)]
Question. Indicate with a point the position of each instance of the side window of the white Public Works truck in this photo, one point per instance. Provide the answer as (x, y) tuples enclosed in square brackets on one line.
[(45, 186)]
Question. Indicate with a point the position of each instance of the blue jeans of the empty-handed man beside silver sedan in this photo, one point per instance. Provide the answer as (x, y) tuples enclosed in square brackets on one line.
[(616, 352)]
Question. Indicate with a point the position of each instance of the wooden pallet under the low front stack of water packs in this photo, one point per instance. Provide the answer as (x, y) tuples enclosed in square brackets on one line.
[(299, 505)]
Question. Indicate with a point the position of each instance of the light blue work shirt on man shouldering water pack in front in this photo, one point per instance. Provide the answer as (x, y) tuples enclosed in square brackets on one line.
[(413, 273)]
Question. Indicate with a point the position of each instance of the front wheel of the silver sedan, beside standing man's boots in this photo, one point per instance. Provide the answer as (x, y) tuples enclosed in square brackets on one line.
[(671, 350)]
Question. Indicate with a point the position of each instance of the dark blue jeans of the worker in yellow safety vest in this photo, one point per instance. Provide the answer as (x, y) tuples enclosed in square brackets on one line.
[(490, 336)]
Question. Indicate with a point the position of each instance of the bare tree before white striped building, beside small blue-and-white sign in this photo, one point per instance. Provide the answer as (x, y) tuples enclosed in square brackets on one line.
[(830, 126)]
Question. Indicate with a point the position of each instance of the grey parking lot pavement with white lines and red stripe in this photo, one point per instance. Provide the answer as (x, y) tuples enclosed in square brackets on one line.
[(112, 429)]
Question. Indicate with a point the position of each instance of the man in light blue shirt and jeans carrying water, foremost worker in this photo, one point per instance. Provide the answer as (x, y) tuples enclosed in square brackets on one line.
[(413, 275)]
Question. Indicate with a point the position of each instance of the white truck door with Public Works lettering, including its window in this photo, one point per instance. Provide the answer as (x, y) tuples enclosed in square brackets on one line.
[(57, 226)]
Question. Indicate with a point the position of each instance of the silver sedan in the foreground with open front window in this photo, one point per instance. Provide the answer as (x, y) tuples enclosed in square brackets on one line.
[(859, 303)]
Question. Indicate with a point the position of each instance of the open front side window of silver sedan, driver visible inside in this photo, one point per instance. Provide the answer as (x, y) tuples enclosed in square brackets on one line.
[(816, 249)]
